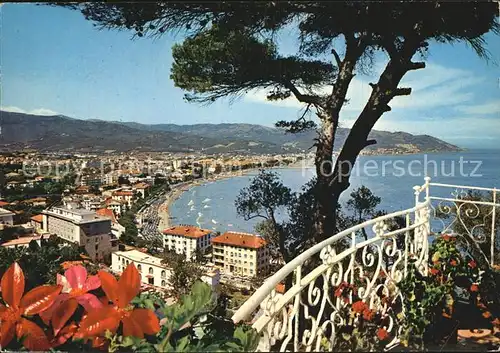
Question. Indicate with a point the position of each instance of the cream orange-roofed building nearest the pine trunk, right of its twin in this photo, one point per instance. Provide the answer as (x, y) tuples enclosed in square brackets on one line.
[(241, 254)]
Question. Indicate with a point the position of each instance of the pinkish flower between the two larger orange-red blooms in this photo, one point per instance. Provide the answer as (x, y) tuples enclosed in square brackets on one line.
[(76, 286)]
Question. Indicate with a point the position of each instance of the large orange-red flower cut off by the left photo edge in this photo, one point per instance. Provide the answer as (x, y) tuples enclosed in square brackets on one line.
[(34, 302)]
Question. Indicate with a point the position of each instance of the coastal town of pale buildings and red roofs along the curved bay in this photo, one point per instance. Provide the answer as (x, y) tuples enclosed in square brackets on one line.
[(115, 207)]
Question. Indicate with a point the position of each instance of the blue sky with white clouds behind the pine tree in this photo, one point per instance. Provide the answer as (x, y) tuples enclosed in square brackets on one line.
[(53, 61)]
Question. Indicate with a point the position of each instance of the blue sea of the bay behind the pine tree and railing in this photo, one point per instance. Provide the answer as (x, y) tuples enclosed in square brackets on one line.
[(391, 177)]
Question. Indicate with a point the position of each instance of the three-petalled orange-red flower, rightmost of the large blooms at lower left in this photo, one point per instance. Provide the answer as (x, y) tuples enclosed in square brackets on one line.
[(136, 322)]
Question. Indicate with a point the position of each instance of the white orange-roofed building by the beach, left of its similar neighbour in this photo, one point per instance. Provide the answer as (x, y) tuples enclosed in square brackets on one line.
[(186, 239)]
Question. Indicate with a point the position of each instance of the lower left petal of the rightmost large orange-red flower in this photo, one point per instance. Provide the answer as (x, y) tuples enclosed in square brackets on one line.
[(98, 321)]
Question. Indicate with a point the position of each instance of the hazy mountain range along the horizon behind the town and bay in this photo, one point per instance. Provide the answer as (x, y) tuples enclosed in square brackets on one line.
[(62, 133)]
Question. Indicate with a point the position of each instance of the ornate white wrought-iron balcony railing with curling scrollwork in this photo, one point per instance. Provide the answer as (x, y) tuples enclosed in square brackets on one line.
[(308, 316)]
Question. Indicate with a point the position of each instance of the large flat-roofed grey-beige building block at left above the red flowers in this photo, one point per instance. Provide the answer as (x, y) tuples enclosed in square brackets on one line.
[(83, 227)]
